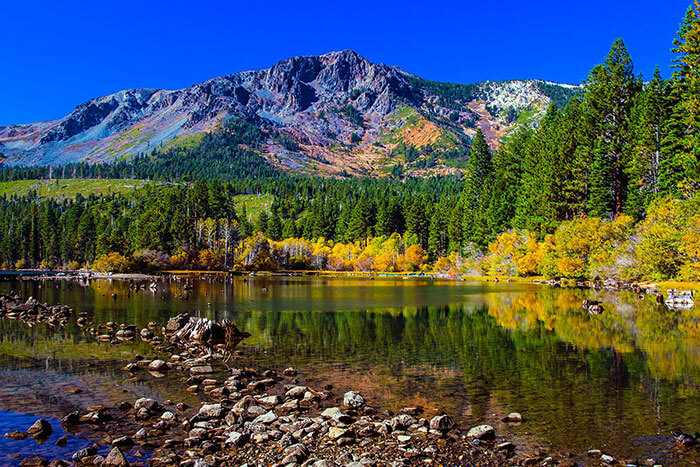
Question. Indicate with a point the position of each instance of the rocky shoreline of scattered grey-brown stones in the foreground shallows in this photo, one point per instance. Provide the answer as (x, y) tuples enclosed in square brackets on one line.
[(255, 417)]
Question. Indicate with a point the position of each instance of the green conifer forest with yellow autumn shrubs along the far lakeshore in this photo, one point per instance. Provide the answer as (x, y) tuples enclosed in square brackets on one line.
[(617, 168)]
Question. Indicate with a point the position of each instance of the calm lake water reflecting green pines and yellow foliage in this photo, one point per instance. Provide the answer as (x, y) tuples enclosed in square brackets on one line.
[(617, 382)]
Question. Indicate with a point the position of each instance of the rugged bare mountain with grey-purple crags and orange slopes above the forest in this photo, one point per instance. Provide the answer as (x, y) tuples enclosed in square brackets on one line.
[(328, 114)]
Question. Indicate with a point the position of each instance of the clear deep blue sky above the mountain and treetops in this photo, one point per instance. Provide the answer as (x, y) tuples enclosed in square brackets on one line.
[(56, 55)]
